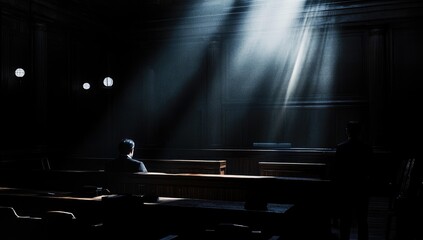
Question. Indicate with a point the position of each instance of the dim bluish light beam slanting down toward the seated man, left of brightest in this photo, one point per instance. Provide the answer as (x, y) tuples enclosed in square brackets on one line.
[(170, 79)]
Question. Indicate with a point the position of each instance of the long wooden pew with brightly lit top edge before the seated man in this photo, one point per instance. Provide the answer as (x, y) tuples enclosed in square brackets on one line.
[(201, 186)]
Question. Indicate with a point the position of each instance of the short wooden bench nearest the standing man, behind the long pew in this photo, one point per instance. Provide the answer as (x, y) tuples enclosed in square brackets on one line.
[(294, 169)]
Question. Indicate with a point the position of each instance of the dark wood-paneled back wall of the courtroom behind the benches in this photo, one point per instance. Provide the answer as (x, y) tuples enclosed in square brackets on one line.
[(183, 91)]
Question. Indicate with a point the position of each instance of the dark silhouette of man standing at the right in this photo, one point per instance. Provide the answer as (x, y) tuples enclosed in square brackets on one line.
[(353, 161)]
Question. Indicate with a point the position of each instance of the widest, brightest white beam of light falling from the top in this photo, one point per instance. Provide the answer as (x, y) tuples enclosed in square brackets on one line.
[(283, 46)]
